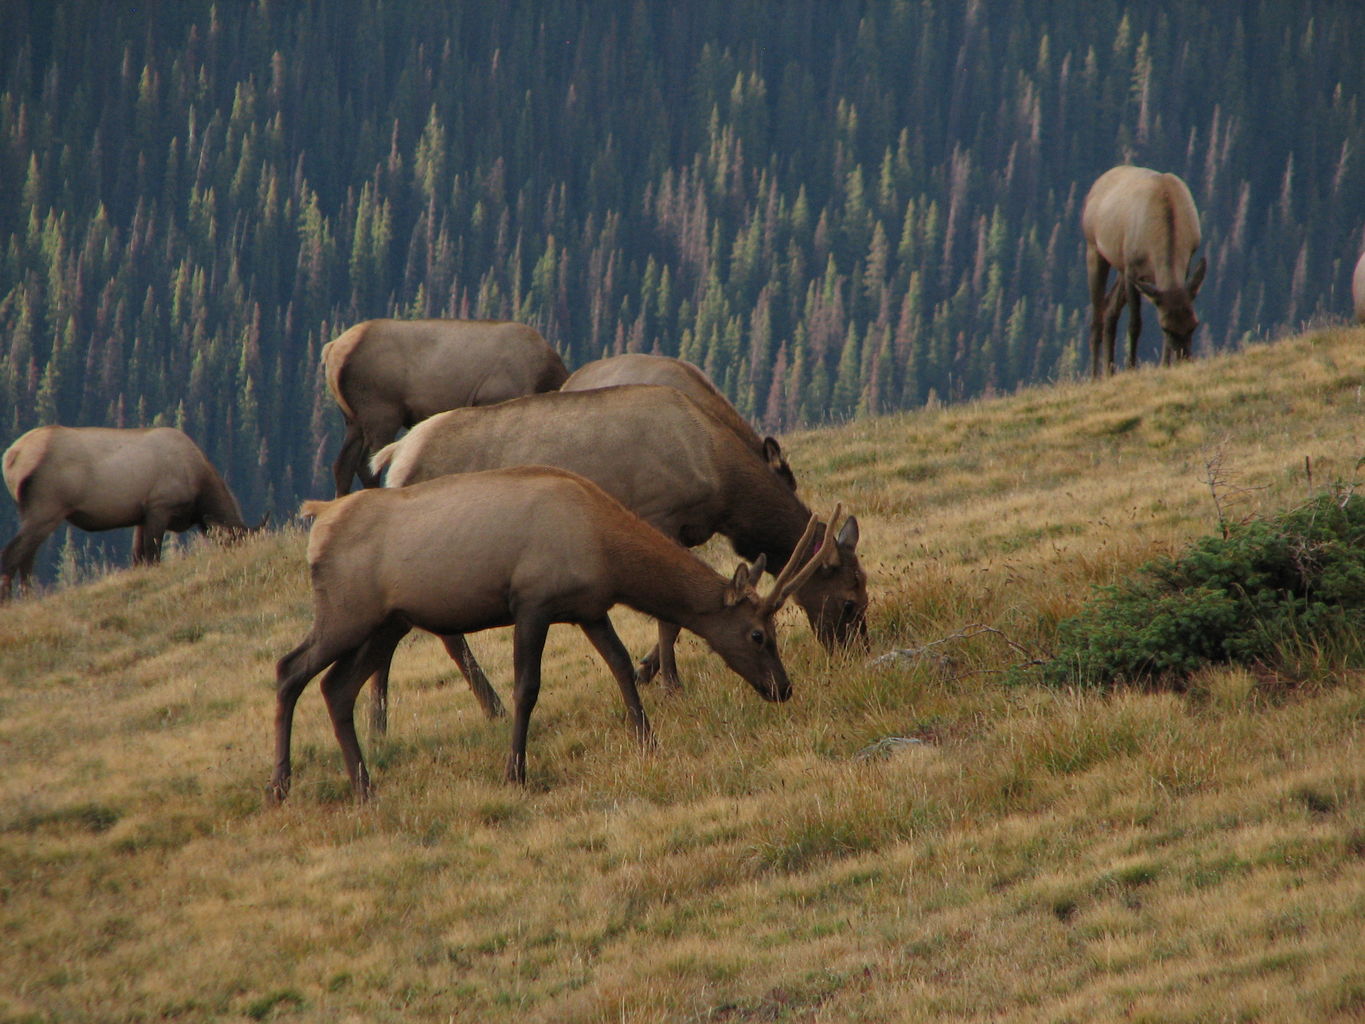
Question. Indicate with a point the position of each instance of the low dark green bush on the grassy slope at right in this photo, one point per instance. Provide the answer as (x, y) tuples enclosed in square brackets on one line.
[(1277, 593)]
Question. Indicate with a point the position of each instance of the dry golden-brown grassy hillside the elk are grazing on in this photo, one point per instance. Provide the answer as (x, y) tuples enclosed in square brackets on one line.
[(1033, 855)]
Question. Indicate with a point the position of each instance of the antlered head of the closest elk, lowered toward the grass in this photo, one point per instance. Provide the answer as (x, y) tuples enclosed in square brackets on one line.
[(745, 634)]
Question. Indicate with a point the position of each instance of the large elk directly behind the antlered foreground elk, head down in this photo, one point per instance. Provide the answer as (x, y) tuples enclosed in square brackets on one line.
[(670, 462)]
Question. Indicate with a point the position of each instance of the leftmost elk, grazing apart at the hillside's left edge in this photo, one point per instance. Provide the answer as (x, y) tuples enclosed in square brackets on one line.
[(104, 479)]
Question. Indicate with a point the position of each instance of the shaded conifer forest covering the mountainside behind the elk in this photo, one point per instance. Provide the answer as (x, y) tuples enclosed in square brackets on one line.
[(837, 208)]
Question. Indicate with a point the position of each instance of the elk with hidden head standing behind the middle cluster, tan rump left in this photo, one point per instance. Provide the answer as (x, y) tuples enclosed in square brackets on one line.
[(388, 375)]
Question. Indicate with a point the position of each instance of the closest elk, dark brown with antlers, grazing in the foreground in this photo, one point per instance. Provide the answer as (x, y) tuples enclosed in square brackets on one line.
[(525, 548)]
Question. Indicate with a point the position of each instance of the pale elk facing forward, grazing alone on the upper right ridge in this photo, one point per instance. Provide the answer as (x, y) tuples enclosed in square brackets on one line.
[(1143, 225)]
